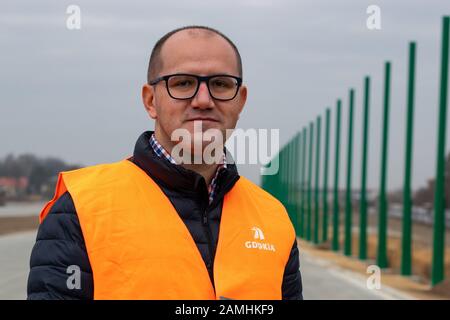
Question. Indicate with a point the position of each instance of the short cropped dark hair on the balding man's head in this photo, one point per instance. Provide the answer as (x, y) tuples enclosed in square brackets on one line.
[(155, 62)]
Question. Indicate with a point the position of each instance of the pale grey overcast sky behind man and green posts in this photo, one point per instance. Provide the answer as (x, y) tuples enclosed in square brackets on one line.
[(75, 94)]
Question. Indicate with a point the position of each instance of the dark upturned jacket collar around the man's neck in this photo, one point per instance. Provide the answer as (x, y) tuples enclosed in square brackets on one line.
[(178, 178)]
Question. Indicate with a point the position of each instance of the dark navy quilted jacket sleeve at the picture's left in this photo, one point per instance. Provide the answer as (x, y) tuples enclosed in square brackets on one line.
[(60, 245)]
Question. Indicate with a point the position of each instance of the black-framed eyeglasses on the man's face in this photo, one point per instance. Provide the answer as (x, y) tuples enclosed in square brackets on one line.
[(183, 86)]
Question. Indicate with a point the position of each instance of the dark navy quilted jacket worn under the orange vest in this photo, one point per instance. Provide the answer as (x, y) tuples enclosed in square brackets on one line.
[(60, 242)]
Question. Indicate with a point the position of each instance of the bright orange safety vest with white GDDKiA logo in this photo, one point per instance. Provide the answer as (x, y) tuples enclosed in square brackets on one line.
[(139, 248)]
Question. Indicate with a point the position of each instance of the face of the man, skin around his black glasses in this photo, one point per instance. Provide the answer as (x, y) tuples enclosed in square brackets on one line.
[(200, 55)]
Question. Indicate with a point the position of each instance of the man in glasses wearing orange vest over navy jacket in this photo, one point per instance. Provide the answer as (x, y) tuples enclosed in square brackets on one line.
[(147, 227)]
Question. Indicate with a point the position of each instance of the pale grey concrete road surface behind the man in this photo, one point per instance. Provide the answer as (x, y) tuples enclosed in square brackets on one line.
[(321, 280)]
